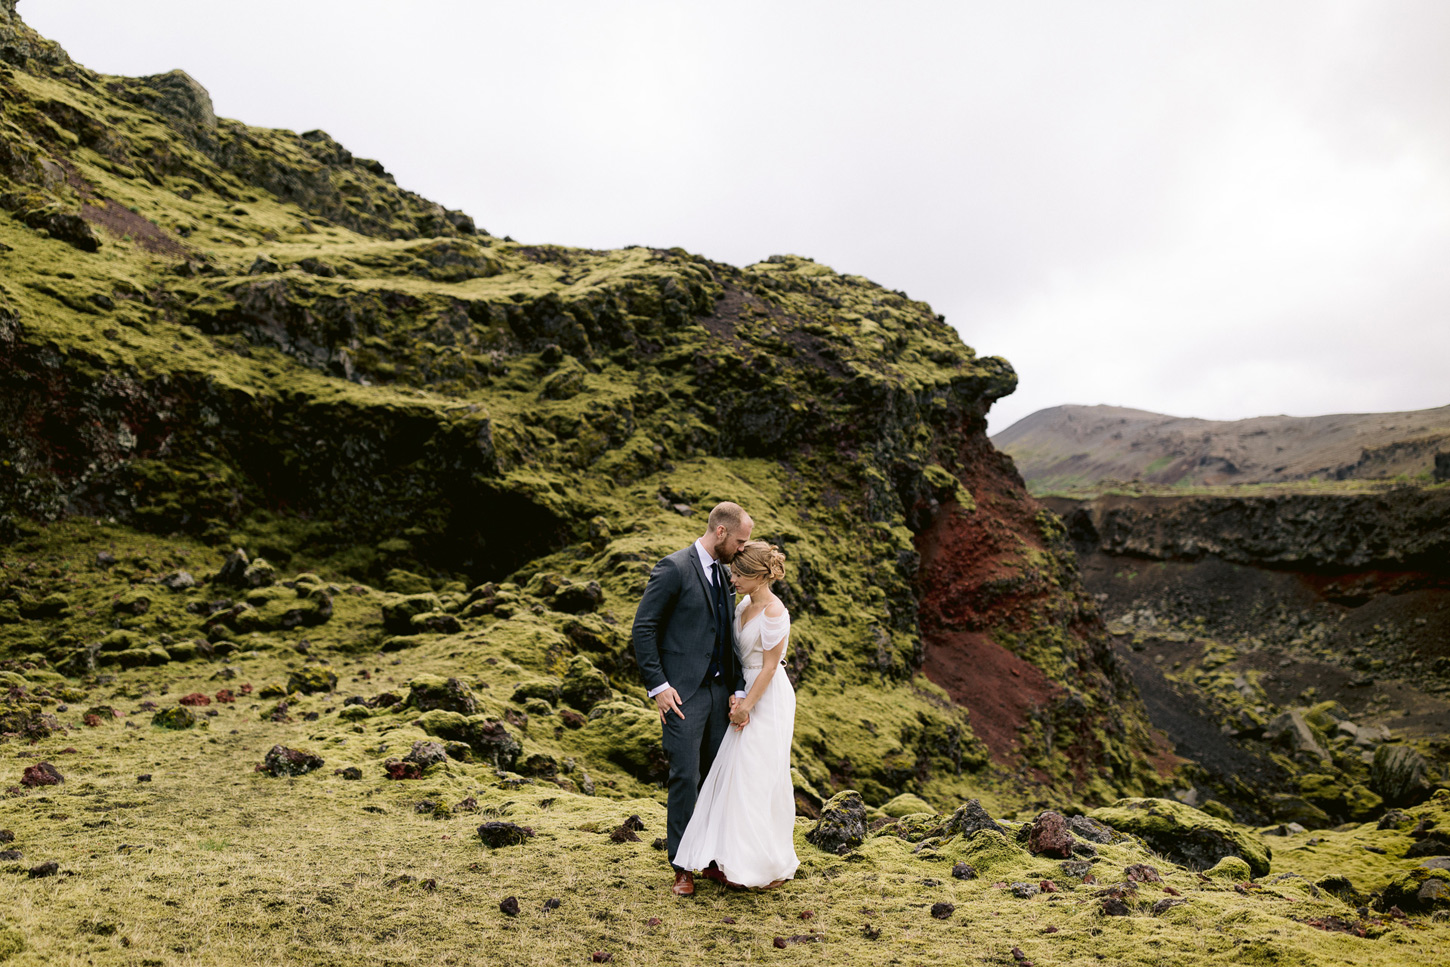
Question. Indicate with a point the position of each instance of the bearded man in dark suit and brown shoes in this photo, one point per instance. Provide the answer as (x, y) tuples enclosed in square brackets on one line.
[(685, 644)]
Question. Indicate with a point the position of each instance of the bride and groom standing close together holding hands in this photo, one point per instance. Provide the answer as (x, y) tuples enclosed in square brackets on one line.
[(714, 668)]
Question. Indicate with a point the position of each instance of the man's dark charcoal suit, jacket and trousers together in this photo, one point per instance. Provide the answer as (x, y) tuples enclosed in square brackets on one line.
[(675, 637)]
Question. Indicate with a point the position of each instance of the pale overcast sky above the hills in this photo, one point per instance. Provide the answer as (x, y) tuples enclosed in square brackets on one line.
[(1214, 209)]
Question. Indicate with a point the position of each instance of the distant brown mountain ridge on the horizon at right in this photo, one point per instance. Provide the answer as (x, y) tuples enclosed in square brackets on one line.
[(1066, 447)]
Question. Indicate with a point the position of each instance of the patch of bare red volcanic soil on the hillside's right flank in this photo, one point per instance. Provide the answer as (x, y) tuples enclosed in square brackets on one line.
[(971, 584)]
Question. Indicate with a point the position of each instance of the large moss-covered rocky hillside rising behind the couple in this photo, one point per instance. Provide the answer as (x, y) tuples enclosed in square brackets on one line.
[(347, 397)]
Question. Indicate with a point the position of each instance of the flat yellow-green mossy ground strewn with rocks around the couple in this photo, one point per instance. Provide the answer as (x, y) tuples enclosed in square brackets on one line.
[(211, 862)]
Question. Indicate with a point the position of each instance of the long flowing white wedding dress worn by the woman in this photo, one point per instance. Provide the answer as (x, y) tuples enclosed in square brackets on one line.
[(746, 814)]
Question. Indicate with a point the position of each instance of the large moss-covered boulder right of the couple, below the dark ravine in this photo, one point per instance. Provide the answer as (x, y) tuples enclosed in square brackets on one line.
[(1184, 834)]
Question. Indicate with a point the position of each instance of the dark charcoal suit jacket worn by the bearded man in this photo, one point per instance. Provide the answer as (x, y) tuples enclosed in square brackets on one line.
[(675, 627)]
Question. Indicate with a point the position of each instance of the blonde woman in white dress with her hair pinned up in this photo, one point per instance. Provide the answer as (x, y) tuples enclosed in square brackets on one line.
[(742, 831)]
